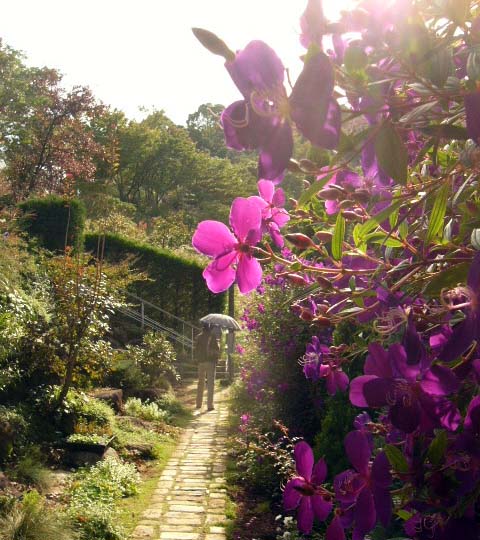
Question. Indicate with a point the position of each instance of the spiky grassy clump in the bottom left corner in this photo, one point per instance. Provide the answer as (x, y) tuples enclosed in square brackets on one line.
[(30, 519)]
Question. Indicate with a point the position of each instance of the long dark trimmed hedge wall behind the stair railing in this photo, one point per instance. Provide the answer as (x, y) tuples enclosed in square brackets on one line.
[(176, 284)]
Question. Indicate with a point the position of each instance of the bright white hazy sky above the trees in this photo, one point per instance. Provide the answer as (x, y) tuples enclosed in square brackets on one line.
[(142, 53)]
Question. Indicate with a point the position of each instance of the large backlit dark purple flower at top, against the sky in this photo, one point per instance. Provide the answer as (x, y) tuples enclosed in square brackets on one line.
[(262, 120)]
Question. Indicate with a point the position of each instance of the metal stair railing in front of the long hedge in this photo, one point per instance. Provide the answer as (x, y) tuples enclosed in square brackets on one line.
[(184, 333)]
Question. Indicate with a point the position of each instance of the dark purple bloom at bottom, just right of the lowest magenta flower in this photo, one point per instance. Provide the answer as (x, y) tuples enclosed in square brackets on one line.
[(364, 492)]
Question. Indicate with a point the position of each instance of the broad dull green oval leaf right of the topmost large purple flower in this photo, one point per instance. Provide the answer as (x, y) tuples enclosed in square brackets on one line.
[(391, 153)]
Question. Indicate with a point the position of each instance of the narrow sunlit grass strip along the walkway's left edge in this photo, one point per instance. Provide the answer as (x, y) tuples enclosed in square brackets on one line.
[(130, 509)]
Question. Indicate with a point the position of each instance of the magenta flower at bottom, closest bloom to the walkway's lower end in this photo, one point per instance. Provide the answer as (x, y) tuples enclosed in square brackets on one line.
[(305, 492)]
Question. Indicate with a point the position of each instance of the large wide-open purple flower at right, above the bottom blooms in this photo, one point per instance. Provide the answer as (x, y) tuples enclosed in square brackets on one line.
[(414, 393)]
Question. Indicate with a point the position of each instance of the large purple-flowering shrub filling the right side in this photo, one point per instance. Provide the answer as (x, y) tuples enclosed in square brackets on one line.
[(386, 242)]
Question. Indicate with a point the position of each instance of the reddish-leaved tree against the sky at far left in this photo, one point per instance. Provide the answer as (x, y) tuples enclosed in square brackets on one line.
[(45, 130)]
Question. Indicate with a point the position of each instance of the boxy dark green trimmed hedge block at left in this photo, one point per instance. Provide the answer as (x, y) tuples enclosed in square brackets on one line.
[(48, 218)]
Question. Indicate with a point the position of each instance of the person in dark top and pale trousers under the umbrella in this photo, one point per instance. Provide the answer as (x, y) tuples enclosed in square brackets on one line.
[(207, 352)]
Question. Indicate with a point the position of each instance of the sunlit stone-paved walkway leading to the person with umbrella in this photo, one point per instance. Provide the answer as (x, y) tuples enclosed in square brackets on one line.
[(190, 498)]
